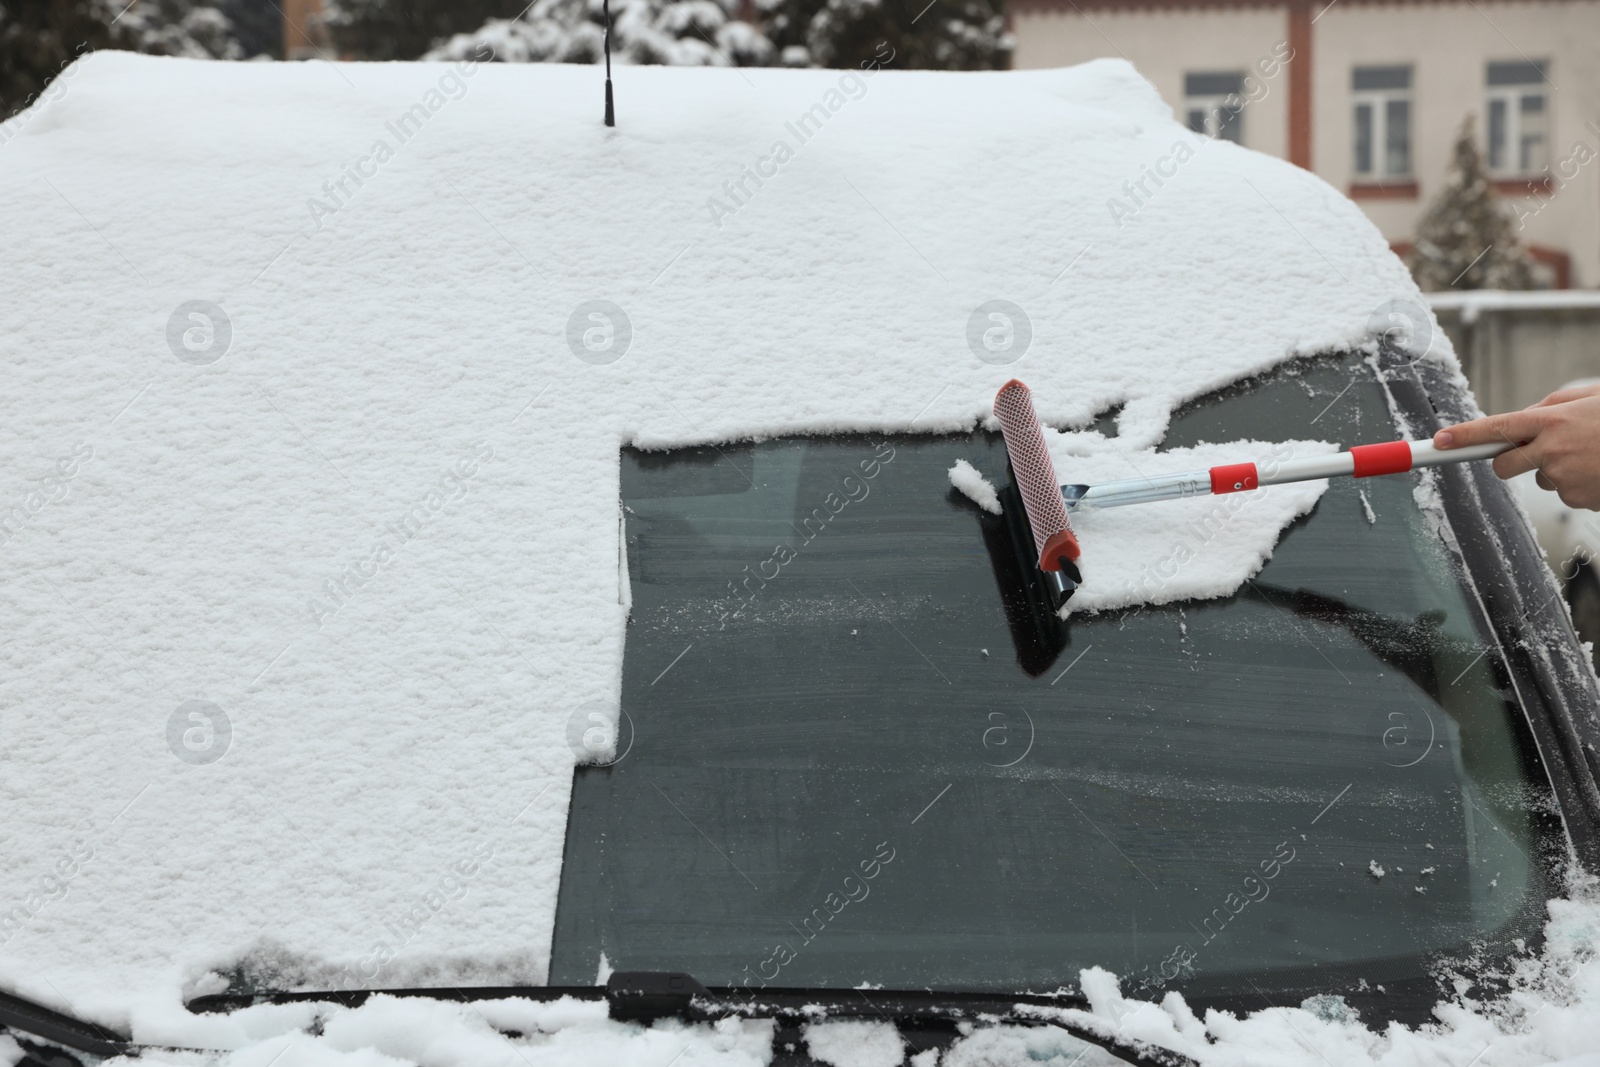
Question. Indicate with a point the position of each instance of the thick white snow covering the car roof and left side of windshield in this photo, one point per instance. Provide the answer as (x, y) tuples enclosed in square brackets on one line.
[(313, 398)]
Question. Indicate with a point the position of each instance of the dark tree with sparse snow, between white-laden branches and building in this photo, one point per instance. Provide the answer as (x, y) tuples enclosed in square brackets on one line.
[(919, 34)]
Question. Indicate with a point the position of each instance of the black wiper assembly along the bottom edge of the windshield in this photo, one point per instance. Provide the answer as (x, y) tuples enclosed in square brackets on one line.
[(649, 996)]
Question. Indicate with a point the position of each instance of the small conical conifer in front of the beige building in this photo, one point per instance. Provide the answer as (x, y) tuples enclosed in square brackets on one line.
[(1466, 241)]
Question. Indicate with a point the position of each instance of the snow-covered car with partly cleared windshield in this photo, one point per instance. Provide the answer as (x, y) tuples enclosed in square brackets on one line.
[(487, 588)]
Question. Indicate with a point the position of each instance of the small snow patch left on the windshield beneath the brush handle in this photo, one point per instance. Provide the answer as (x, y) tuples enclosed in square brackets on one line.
[(1196, 548)]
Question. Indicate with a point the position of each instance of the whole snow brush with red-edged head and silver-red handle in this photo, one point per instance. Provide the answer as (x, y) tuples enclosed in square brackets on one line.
[(1049, 503)]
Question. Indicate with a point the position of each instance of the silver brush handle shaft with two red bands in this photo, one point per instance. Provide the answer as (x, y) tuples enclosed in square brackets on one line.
[(1361, 463)]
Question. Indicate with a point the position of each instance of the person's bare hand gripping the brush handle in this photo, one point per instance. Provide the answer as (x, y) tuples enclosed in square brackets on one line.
[(1559, 438)]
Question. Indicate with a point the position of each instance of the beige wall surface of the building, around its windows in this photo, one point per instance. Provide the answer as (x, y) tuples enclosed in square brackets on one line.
[(1447, 44)]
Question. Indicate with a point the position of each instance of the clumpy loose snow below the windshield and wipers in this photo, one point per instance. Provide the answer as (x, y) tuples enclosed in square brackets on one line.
[(1550, 1017)]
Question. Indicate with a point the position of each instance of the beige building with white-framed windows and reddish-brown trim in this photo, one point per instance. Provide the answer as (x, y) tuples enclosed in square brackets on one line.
[(1372, 97)]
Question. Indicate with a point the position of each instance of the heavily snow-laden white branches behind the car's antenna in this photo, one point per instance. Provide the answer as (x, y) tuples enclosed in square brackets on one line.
[(674, 33)]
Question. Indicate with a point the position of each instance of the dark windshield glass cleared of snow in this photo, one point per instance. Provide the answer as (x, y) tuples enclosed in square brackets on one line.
[(841, 764)]
